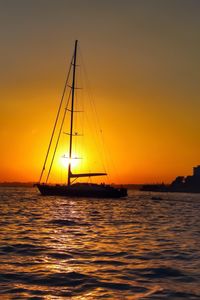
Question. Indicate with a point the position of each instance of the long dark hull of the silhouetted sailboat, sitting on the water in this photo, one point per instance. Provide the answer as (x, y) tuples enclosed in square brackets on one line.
[(82, 190)]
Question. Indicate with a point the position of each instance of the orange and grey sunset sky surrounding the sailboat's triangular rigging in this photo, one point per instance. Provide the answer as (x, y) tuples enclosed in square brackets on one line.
[(143, 61)]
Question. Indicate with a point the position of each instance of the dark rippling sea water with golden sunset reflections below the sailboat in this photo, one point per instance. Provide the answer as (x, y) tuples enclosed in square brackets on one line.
[(137, 248)]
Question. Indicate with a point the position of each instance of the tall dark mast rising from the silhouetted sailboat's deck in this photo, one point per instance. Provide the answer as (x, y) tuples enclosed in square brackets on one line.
[(72, 111)]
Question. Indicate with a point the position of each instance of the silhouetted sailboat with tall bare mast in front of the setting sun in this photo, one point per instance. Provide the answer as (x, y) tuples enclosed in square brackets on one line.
[(70, 188)]
